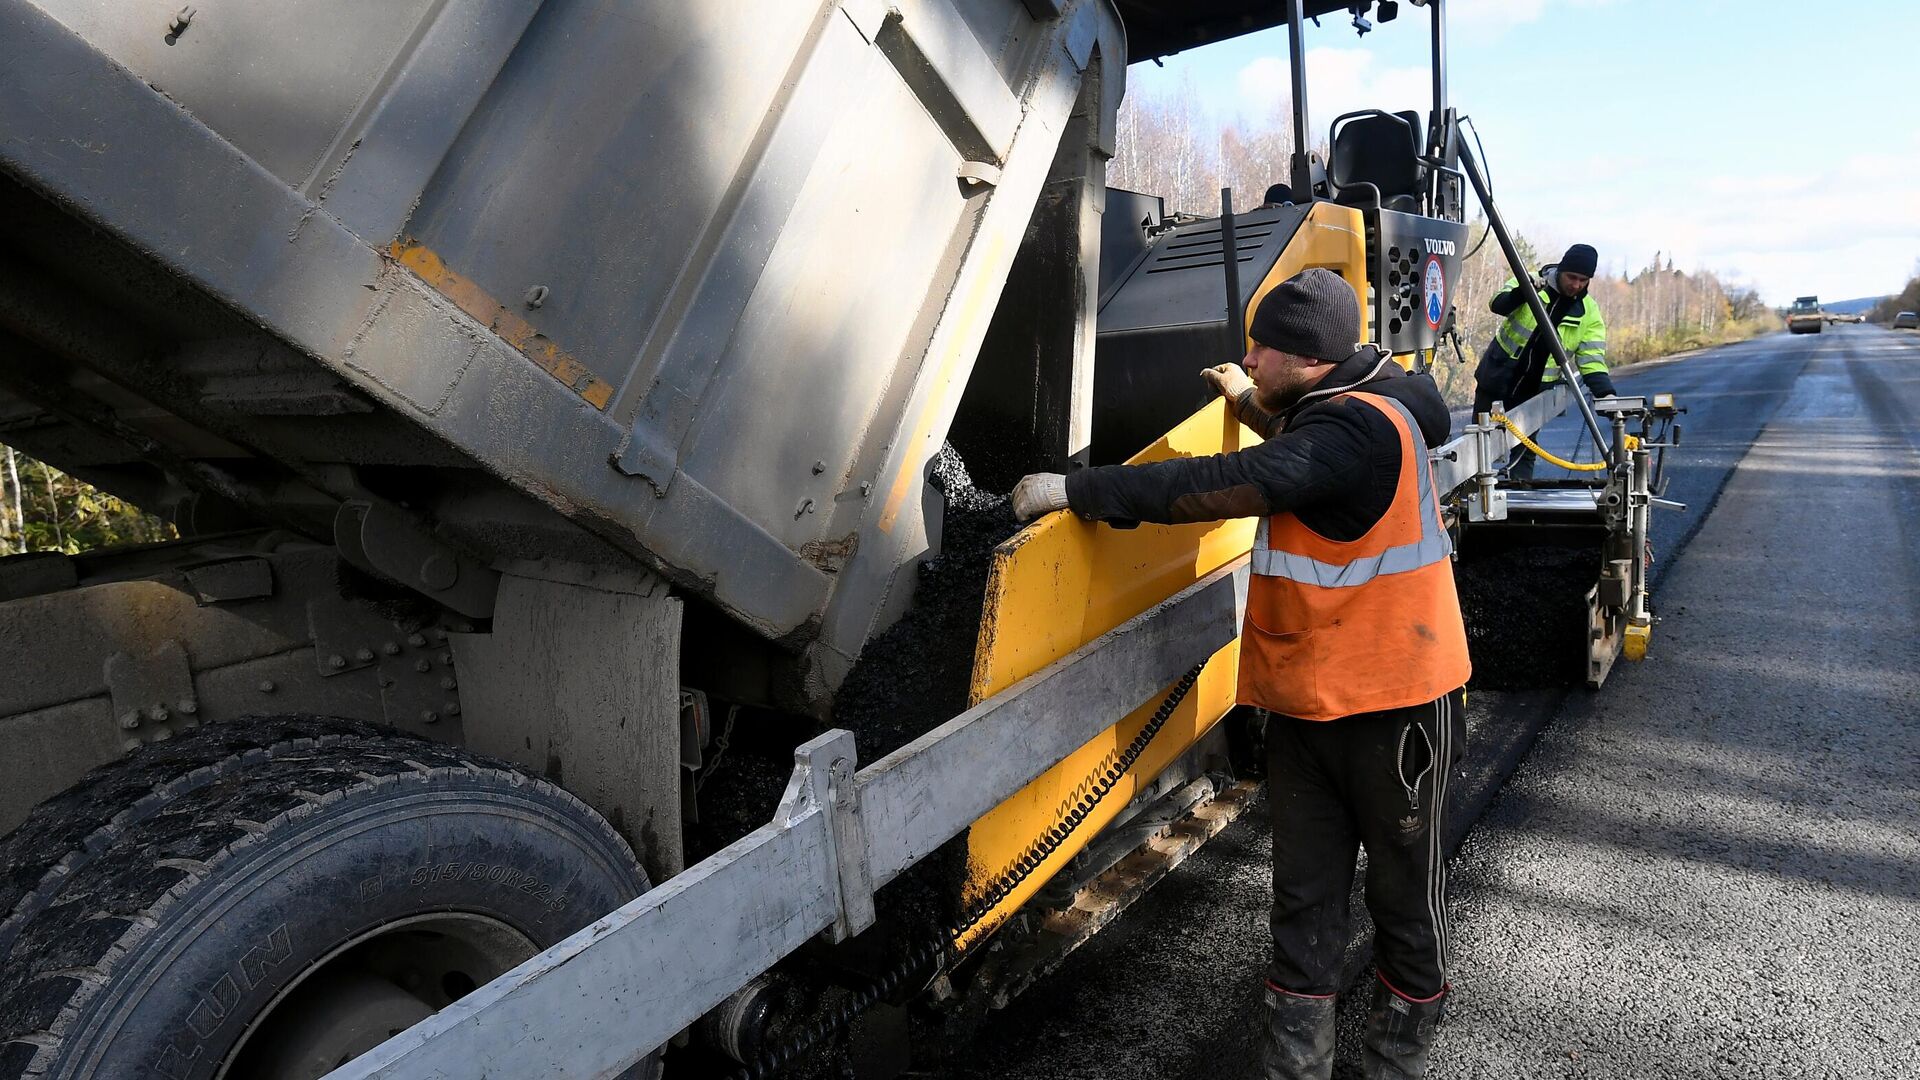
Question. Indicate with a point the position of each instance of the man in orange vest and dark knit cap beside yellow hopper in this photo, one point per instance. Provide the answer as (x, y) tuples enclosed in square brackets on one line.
[(1353, 647)]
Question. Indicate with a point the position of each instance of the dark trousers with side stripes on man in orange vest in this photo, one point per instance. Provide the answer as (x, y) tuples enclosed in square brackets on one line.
[(1376, 781)]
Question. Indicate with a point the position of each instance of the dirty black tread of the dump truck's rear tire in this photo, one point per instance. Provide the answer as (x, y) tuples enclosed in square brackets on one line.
[(95, 870)]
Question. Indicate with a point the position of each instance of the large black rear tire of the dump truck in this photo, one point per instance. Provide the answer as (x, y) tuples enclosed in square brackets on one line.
[(270, 898)]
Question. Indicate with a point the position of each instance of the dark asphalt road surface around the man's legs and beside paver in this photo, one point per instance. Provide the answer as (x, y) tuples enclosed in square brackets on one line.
[(1708, 870)]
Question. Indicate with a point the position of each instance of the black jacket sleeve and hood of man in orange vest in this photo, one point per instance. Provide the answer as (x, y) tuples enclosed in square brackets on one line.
[(1335, 464)]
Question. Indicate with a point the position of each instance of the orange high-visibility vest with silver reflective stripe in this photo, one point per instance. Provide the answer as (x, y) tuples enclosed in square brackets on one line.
[(1341, 627)]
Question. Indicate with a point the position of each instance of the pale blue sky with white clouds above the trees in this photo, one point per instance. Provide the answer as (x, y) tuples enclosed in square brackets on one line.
[(1773, 143)]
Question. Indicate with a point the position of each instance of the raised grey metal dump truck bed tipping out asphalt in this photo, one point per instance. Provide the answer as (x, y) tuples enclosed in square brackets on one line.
[(692, 285)]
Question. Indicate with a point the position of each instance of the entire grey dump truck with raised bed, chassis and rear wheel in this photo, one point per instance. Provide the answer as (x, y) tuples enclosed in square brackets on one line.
[(552, 381)]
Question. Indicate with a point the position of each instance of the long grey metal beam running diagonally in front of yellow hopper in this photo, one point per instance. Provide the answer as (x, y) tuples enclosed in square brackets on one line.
[(625, 985)]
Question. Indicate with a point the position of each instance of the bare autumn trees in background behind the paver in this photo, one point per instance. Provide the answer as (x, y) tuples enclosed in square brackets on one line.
[(1172, 147)]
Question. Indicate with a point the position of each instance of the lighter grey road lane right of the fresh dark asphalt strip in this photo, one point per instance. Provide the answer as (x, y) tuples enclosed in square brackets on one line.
[(1714, 870)]
